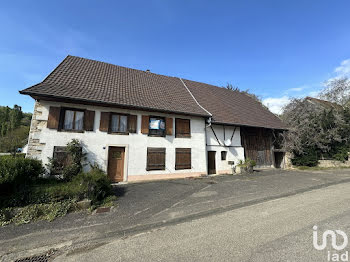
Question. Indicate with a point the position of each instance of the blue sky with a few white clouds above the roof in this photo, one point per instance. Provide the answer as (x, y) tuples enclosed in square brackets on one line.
[(275, 49)]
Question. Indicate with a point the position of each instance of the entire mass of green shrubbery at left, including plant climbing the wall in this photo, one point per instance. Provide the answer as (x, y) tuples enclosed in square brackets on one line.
[(27, 196)]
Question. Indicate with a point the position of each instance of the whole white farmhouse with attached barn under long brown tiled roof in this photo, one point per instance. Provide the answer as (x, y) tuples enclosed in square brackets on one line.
[(138, 125)]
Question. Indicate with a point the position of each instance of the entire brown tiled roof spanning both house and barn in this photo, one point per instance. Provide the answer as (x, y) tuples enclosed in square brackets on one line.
[(86, 80)]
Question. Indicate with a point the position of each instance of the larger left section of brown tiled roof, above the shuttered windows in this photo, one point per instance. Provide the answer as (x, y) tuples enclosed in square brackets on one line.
[(84, 79)]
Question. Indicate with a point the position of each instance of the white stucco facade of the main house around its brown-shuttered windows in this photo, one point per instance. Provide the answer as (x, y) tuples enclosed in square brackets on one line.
[(95, 143)]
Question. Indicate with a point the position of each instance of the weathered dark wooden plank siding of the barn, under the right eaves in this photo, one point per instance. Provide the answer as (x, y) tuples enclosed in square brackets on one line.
[(257, 143)]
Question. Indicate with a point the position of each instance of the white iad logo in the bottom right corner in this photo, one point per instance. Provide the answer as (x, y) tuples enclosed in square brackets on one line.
[(332, 256)]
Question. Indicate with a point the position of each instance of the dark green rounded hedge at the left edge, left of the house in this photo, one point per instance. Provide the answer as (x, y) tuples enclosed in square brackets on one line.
[(17, 172)]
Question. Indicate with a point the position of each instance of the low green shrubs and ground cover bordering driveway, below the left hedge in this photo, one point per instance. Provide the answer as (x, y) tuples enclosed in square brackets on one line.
[(47, 199)]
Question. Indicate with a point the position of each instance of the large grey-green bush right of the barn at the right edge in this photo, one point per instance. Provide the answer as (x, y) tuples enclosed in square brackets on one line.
[(319, 129)]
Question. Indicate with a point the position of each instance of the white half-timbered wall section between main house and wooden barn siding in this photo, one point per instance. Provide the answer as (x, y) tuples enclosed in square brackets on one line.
[(235, 151)]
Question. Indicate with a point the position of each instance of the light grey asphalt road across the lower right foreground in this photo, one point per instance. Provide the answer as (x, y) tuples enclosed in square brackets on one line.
[(275, 230)]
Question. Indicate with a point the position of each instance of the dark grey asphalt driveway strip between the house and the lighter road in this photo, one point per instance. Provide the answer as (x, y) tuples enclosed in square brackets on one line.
[(145, 206)]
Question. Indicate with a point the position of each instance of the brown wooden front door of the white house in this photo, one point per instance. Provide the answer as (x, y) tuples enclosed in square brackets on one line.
[(116, 157)]
